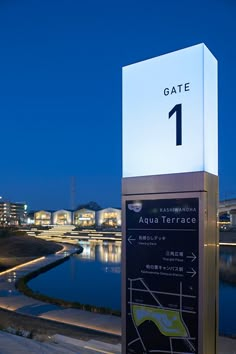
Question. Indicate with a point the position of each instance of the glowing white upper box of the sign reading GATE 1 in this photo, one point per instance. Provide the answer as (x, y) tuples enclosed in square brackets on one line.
[(170, 114)]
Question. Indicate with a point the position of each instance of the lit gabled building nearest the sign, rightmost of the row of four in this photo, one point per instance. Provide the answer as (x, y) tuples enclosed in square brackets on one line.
[(109, 218)]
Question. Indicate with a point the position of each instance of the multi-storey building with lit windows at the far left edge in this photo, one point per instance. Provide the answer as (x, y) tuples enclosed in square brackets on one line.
[(12, 214)]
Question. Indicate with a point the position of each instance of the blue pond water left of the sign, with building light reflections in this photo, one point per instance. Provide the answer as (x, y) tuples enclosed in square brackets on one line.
[(92, 277)]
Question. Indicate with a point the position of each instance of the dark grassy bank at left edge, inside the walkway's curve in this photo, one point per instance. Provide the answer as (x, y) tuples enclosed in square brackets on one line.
[(16, 248)]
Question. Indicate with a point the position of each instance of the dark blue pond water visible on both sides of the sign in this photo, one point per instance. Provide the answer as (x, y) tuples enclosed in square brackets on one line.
[(94, 277)]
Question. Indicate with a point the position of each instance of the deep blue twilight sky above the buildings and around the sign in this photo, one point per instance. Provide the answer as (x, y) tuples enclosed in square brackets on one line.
[(60, 89)]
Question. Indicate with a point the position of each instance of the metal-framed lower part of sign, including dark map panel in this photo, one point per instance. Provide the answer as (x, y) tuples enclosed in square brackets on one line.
[(170, 264)]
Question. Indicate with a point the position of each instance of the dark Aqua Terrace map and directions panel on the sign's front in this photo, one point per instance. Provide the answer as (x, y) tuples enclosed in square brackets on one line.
[(162, 276)]
